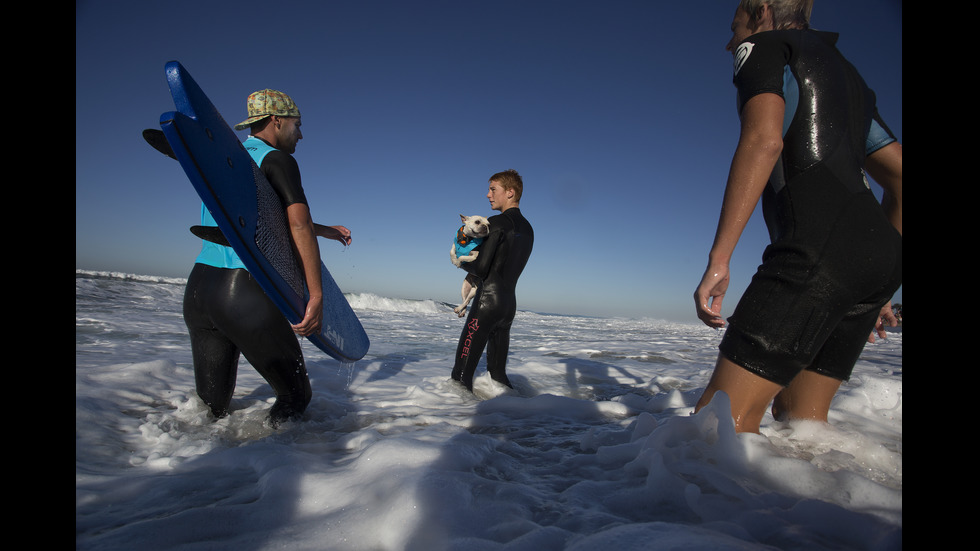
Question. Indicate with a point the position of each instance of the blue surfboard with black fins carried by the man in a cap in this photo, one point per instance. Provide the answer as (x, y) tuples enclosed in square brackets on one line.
[(251, 216)]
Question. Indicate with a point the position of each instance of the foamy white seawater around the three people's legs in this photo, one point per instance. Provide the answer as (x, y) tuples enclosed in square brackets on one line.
[(596, 448)]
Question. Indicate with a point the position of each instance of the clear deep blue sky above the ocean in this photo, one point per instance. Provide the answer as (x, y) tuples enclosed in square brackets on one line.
[(619, 115)]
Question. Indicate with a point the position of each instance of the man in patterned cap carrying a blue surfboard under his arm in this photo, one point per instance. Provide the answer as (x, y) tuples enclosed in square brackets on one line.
[(226, 311)]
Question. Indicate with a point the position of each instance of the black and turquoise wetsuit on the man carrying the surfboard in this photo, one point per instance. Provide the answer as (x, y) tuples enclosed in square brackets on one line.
[(228, 314)]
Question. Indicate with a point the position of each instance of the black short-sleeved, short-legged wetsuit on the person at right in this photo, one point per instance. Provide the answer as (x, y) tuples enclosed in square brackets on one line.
[(834, 258)]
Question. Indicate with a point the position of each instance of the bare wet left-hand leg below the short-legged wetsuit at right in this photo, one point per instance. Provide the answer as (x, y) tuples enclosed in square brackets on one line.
[(749, 393)]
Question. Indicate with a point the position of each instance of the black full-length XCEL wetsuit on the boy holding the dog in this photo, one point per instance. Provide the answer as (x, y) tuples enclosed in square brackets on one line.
[(503, 255)]
